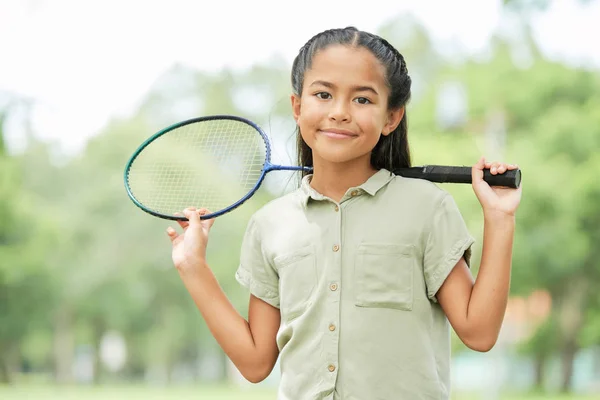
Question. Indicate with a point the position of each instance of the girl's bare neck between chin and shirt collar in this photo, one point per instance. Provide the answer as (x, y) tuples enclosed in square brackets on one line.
[(334, 179)]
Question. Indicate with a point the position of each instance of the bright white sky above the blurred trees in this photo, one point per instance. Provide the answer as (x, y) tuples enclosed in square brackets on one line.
[(82, 62)]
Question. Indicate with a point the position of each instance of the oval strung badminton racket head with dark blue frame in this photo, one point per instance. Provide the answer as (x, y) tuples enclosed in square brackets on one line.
[(163, 183)]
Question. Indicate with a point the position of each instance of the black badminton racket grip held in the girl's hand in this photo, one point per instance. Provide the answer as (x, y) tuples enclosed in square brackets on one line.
[(453, 174)]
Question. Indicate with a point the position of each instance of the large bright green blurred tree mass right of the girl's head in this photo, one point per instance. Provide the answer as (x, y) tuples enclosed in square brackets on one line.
[(552, 129)]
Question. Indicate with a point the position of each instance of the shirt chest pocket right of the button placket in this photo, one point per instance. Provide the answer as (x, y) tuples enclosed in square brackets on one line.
[(383, 276)]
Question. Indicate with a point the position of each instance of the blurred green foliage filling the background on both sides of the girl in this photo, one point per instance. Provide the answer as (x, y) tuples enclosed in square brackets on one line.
[(70, 239)]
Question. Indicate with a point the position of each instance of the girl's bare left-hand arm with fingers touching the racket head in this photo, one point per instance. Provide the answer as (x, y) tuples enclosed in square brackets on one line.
[(251, 344)]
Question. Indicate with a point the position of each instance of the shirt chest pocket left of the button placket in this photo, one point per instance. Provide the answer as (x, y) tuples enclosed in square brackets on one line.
[(297, 281)]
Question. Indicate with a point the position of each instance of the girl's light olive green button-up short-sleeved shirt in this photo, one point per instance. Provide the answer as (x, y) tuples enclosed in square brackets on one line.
[(355, 283)]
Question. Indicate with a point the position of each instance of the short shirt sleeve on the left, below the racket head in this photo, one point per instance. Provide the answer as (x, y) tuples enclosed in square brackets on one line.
[(255, 272)]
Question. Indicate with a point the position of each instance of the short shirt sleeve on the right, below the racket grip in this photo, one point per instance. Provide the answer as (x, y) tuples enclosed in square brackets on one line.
[(447, 240)]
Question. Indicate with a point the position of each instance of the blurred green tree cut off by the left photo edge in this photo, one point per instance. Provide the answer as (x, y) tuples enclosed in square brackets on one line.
[(24, 239)]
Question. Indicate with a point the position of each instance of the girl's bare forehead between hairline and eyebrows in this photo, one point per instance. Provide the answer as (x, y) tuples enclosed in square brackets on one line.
[(346, 65)]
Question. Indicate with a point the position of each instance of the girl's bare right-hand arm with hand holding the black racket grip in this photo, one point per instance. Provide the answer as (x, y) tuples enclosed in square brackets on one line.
[(476, 309)]
